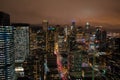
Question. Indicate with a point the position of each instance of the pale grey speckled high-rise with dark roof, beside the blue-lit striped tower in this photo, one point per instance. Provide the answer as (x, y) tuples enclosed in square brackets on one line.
[(21, 41)]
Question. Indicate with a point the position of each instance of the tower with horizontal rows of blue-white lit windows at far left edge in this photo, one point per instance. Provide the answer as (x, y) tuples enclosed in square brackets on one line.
[(6, 53)]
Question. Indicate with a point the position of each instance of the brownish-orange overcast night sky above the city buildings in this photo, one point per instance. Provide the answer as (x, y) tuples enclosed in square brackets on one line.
[(97, 12)]
